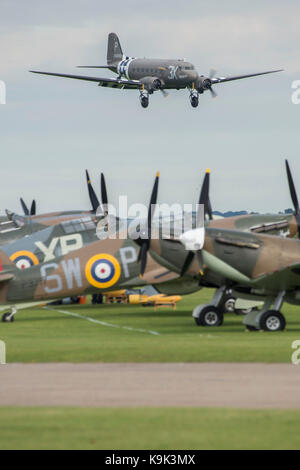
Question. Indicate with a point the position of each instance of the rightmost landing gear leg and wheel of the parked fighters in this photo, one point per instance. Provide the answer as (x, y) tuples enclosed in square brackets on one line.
[(267, 319)]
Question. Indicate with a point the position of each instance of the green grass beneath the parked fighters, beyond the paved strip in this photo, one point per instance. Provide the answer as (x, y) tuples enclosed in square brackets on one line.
[(39, 335)]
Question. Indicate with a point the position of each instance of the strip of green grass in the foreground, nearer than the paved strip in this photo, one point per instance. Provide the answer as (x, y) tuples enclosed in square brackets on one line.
[(150, 428)]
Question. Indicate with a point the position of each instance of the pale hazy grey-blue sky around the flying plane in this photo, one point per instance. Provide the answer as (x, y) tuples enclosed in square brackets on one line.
[(52, 129)]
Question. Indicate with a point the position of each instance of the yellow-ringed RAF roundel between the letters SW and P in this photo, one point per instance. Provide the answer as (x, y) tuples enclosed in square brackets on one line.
[(102, 271)]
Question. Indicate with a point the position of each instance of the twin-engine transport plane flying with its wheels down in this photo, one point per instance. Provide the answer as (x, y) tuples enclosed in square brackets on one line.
[(149, 75)]
